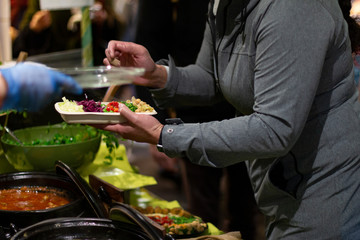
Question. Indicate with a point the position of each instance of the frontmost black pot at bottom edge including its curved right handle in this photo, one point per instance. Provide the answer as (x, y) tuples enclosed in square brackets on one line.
[(129, 224)]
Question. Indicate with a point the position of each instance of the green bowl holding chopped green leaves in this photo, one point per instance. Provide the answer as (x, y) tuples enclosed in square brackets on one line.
[(43, 157)]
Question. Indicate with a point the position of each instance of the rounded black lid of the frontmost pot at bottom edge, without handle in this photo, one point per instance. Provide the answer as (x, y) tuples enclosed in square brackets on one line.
[(81, 228)]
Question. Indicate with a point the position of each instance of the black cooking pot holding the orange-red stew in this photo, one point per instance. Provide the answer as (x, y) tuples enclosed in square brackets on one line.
[(77, 207)]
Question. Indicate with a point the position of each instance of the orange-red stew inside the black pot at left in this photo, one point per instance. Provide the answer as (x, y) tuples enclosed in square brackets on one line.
[(31, 198)]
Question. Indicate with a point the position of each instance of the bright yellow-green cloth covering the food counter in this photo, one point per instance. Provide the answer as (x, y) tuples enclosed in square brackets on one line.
[(120, 175)]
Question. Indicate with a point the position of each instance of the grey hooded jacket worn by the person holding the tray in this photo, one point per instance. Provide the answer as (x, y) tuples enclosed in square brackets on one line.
[(286, 66)]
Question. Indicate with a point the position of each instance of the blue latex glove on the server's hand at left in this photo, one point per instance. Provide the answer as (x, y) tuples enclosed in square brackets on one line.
[(33, 86)]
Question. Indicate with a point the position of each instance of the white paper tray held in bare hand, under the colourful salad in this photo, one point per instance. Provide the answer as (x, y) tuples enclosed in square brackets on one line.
[(93, 117)]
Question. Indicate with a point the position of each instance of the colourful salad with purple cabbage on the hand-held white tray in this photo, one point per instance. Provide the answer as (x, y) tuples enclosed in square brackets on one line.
[(135, 105)]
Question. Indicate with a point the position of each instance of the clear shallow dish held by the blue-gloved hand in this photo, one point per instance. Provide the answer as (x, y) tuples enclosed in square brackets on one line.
[(102, 76)]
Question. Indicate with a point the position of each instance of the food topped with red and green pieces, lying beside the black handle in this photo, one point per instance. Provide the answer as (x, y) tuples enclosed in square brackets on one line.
[(176, 221)]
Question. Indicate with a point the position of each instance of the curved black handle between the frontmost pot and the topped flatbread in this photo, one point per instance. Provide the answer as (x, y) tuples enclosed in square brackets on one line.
[(153, 230)]
